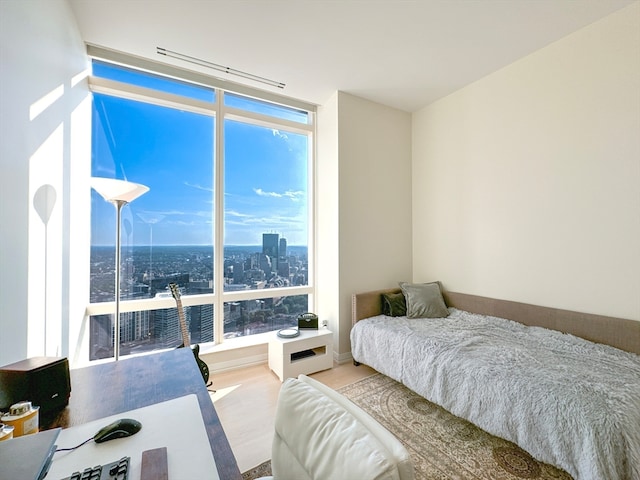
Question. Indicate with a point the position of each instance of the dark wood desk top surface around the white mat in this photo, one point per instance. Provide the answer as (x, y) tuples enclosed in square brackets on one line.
[(107, 389)]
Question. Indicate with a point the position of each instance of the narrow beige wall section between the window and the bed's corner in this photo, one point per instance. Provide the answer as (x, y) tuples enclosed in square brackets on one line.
[(374, 151)]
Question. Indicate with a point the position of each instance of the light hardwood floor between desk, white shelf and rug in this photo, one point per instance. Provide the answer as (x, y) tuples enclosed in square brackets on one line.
[(245, 400)]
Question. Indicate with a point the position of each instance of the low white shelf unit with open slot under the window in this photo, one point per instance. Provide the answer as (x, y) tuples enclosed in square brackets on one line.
[(281, 351)]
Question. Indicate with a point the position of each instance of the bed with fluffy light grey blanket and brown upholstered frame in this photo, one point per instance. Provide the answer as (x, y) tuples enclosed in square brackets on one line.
[(562, 385)]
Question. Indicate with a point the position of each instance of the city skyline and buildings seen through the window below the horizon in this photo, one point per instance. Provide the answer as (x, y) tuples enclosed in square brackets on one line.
[(191, 269)]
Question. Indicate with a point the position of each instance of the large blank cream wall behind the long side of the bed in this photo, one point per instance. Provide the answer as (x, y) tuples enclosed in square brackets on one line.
[(526, 184)]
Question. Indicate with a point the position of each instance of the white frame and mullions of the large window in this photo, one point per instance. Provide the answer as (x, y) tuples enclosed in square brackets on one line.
[(220, 112)]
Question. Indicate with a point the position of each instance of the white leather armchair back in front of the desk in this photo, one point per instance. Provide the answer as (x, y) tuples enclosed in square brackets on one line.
[(321, 435)]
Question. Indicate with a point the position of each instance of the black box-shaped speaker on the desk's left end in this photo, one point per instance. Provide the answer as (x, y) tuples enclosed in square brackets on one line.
[(43, 381)]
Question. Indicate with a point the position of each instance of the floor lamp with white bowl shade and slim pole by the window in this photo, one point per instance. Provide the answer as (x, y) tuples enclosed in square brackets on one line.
[(119, 193)]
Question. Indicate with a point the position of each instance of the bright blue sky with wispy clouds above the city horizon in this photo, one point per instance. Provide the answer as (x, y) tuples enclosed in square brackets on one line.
[(172, 152)]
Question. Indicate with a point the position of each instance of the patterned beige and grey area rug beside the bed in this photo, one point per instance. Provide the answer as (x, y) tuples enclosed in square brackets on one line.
[(442, 446)]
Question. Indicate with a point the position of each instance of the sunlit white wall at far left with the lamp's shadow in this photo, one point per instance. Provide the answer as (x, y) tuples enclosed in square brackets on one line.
[(43, 97)]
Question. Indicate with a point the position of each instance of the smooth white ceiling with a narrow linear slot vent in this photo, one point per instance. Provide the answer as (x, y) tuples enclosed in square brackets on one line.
[(400, 53)]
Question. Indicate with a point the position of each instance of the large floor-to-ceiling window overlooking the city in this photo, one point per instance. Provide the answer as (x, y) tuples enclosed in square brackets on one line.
[(227, 216)]
